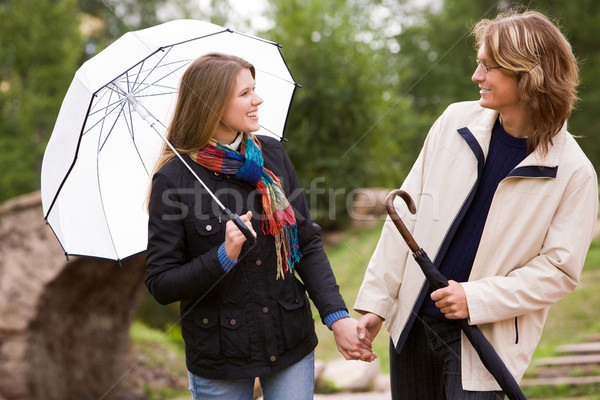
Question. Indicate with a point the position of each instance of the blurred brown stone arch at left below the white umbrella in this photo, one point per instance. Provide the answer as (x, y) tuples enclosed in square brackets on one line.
[(64, 325)]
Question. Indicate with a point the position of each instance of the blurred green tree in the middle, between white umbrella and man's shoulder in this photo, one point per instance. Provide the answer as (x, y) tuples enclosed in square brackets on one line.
[(346, 127)]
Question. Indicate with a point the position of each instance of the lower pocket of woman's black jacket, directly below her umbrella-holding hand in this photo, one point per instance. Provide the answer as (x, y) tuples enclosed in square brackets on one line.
[(235, 339)]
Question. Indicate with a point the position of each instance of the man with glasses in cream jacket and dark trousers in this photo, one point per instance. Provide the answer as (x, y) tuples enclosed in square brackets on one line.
[(507, 203)]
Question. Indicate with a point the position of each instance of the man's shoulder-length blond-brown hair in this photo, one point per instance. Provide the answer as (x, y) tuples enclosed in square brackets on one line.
[(530, 46)]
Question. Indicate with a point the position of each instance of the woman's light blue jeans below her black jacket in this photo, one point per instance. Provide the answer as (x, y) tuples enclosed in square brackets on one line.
[(296, 381)]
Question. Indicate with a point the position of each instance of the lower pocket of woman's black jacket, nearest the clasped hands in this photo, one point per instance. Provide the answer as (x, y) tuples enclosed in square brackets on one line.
[(296, 320)]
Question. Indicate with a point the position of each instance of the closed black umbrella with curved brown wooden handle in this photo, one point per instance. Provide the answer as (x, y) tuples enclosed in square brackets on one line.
[(490, 359)]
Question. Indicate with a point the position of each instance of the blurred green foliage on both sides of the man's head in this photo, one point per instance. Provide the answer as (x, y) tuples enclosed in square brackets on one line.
[(438, 52)]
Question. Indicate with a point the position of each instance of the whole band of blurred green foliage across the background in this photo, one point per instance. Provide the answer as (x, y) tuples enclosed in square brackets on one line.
[(375, 75)]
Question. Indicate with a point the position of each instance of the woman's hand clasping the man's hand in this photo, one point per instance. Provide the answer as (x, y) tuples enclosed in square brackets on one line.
[(349, 345)]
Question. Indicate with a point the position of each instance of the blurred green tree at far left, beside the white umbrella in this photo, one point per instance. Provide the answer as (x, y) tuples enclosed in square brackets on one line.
[(40, 46)]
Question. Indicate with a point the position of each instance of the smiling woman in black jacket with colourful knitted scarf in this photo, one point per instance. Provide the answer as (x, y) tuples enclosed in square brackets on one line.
[(244, 313)]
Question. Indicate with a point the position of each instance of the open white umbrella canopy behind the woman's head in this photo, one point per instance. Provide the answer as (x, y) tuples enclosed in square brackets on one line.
[(98, 163)]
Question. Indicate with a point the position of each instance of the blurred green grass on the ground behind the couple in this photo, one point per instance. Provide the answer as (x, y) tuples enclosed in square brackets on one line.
[(574, 319)]
